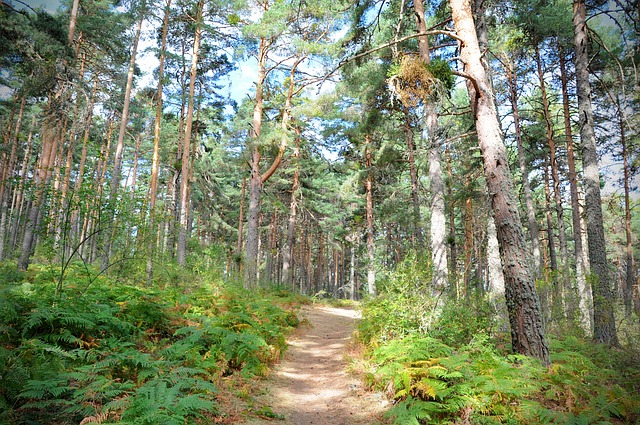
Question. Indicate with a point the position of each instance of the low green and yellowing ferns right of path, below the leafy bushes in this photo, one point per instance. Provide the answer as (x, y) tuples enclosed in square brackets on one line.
[(437, 383)]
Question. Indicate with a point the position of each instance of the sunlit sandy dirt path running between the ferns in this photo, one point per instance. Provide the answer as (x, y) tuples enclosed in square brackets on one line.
[(311, 385)]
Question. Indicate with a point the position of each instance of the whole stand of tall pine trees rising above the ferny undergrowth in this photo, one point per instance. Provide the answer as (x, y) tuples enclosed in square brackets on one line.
[(363, 142)]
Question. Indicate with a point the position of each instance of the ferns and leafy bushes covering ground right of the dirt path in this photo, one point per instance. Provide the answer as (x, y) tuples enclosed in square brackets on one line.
[(451, 365)]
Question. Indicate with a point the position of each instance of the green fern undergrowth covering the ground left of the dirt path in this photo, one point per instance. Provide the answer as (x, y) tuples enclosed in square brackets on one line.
[(124, 353)]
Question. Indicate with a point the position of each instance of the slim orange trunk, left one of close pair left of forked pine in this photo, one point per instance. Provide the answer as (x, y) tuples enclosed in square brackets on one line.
[(155, 161)]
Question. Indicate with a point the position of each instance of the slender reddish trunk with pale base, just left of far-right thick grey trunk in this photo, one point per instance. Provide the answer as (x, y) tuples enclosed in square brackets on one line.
[(582, 262)]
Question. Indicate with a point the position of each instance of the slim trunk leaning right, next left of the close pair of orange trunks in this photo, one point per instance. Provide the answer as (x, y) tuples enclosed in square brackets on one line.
[(117, 162)]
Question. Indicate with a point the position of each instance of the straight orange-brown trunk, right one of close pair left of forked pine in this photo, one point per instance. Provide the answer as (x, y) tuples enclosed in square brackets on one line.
[(186, 144)]
